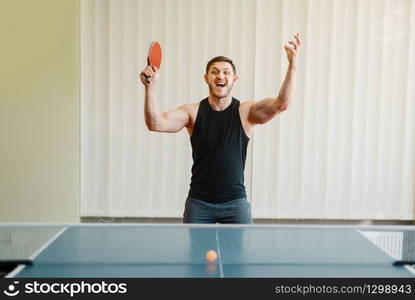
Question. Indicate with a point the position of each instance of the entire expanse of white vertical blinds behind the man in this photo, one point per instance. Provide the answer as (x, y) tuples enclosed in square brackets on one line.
[(343, 150)]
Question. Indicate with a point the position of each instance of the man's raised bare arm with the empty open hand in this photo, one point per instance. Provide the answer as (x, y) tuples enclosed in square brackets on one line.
[(264, 110)]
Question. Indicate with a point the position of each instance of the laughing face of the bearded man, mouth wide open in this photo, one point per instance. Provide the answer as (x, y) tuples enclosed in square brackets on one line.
[(220, 79)]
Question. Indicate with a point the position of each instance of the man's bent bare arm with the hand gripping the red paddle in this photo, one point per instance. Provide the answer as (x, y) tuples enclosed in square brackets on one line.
[(170, 121)]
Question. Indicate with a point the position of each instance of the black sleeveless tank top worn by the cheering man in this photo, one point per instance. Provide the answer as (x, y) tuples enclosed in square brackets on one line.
[(219, 146)]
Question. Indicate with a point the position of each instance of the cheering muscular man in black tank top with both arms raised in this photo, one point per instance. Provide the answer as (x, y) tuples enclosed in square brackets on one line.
[(219, 128)]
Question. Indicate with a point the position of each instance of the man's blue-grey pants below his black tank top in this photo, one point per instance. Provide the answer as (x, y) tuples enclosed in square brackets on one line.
[(236, 211)]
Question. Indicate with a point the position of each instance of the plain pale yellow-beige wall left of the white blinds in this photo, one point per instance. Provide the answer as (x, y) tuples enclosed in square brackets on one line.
[(39, 105)]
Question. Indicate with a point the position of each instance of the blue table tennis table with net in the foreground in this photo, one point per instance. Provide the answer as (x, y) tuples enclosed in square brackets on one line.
[(178, 250)]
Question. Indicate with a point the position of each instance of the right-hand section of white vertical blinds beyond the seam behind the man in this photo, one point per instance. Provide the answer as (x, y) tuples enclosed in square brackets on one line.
[(344, 150)]
